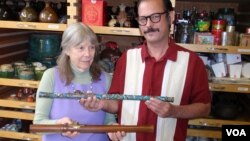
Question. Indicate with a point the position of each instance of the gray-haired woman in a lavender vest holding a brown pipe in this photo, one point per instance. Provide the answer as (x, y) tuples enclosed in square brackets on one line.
[(76, 69)]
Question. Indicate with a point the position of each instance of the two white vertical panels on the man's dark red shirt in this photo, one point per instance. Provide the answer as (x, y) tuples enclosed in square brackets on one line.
[(172, 86)]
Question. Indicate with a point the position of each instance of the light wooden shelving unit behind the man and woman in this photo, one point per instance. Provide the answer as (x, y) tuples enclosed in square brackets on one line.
[(73, 10)]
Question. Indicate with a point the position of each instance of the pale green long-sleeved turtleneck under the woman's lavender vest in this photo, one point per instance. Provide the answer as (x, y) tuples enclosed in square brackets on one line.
[(43, 105)]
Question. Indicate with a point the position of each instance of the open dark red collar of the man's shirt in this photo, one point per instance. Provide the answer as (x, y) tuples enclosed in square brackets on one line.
[(171, 53)]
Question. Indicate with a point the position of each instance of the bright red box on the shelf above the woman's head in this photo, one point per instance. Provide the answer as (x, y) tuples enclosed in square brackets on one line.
[(93, 12)]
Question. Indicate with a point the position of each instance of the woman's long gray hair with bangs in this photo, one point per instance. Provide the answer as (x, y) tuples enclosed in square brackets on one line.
[(74, 35)]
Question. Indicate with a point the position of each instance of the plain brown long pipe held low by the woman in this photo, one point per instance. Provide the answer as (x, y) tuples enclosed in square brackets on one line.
[(59, 128)]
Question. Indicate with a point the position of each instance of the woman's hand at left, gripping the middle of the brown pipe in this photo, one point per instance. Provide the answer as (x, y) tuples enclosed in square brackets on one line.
[(67, 120)]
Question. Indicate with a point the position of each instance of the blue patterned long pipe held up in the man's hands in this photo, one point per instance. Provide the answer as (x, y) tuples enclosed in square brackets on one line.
[(78, 95)]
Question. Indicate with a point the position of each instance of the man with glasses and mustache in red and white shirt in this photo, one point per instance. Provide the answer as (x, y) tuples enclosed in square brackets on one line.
[(158, 67)]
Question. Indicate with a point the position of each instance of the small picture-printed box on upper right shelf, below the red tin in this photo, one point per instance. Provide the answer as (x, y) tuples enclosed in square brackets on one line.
[(203, 38)]
